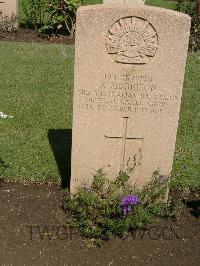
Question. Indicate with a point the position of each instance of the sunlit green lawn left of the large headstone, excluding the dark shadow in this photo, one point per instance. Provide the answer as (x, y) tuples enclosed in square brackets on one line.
[(36, 88)]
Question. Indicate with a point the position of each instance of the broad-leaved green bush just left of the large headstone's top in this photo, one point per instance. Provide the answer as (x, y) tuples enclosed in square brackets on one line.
[(61, 17)]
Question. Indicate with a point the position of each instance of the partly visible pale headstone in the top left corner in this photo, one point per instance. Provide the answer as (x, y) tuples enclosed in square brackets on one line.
[(8, 15)]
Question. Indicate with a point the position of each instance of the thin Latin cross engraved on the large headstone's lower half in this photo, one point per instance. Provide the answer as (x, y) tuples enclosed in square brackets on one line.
[(124, 138)]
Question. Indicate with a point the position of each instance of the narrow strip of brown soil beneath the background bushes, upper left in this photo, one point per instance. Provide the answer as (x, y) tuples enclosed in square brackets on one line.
[(29, 35)]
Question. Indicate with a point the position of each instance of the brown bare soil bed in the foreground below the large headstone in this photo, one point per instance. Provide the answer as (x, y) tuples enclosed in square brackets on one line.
[(33, 231)]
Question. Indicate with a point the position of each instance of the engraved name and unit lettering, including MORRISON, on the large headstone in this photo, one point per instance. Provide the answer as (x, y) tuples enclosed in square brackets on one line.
[(126, 93)]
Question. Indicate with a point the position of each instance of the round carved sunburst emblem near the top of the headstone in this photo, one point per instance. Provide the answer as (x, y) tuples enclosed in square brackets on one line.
[(132, 40)]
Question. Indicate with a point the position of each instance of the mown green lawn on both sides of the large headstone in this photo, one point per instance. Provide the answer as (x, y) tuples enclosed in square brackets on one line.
[(36, 88)]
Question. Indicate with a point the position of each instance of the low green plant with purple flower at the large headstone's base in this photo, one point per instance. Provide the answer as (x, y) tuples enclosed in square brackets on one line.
[(113, 208)]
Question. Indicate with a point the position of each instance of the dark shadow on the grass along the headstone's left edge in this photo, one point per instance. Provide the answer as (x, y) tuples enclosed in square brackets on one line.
[(60, 141)]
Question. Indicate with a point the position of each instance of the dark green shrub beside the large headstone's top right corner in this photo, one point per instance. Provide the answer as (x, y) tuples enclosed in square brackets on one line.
[(192, 8)]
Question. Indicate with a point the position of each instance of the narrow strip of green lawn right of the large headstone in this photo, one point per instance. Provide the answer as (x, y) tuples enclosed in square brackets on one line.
[(186, 168)]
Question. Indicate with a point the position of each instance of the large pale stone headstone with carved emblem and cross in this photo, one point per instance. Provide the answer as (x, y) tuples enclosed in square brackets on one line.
[(129, 71)]
